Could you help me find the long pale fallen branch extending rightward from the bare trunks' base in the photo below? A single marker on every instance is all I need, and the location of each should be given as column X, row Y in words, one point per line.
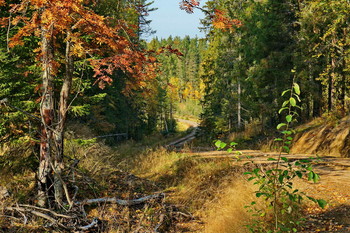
column 121, row 202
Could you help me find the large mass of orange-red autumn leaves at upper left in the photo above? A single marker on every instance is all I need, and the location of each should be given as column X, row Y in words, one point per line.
column 71, row 20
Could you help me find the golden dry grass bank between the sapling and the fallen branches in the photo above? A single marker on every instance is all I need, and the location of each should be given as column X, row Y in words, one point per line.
column 213, row 189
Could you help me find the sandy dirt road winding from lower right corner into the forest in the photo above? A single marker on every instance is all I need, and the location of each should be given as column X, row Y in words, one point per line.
column 334, row 185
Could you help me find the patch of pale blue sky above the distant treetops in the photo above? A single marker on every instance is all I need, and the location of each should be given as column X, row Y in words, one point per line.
column 169, row 19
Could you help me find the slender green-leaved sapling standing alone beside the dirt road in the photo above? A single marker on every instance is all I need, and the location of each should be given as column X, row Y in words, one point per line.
column 276, row 183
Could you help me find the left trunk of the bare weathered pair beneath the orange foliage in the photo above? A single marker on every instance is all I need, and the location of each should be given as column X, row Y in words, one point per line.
column 47, row 115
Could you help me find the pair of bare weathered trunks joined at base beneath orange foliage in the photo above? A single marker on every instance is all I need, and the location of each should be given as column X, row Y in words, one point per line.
column 52, row 138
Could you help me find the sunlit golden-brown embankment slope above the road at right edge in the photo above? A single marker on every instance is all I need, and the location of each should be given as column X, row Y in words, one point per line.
column 325, row 138
